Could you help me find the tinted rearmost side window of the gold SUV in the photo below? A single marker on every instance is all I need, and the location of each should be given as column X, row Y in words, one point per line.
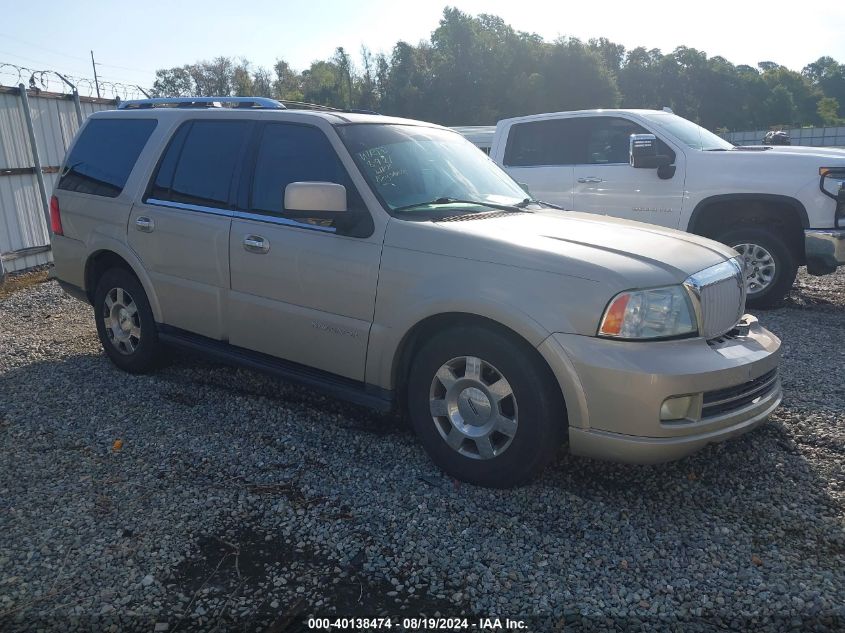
column 104, row 155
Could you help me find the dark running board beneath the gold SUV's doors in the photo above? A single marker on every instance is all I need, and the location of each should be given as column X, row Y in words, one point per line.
column 326, row 382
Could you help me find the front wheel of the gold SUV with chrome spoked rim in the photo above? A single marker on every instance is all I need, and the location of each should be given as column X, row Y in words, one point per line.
column 486, row 410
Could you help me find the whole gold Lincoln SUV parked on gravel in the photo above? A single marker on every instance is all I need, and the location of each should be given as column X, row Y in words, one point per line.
column 390, row 262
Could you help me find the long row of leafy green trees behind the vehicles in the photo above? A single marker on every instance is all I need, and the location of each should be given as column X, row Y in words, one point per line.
column 476, row 69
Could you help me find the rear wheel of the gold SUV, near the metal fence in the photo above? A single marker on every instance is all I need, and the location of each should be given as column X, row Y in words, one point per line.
column 125, row 322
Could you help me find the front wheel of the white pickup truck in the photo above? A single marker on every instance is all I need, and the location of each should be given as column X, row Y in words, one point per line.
column 770, row 265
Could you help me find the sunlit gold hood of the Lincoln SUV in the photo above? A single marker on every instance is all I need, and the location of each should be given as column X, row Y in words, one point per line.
column 621, row 254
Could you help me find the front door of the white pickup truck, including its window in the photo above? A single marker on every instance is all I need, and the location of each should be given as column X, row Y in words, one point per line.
column 606, row 183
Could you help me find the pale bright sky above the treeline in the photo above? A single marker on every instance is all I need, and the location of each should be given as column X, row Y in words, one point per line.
column 131, row 40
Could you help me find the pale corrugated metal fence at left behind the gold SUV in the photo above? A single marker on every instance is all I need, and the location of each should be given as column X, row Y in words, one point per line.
column 22, row 221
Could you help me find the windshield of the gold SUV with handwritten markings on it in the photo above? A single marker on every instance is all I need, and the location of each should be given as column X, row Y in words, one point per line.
column 415, row 167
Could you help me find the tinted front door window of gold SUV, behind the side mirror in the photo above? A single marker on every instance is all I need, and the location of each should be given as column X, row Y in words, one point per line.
column 295, row 153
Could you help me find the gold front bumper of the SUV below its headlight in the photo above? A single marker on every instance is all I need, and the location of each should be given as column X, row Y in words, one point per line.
column 614, row 391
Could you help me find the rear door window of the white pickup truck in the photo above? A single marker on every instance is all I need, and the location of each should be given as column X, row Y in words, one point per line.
column 548, row 142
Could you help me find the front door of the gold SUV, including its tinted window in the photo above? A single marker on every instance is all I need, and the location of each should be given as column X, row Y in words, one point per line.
column 300, row 291
